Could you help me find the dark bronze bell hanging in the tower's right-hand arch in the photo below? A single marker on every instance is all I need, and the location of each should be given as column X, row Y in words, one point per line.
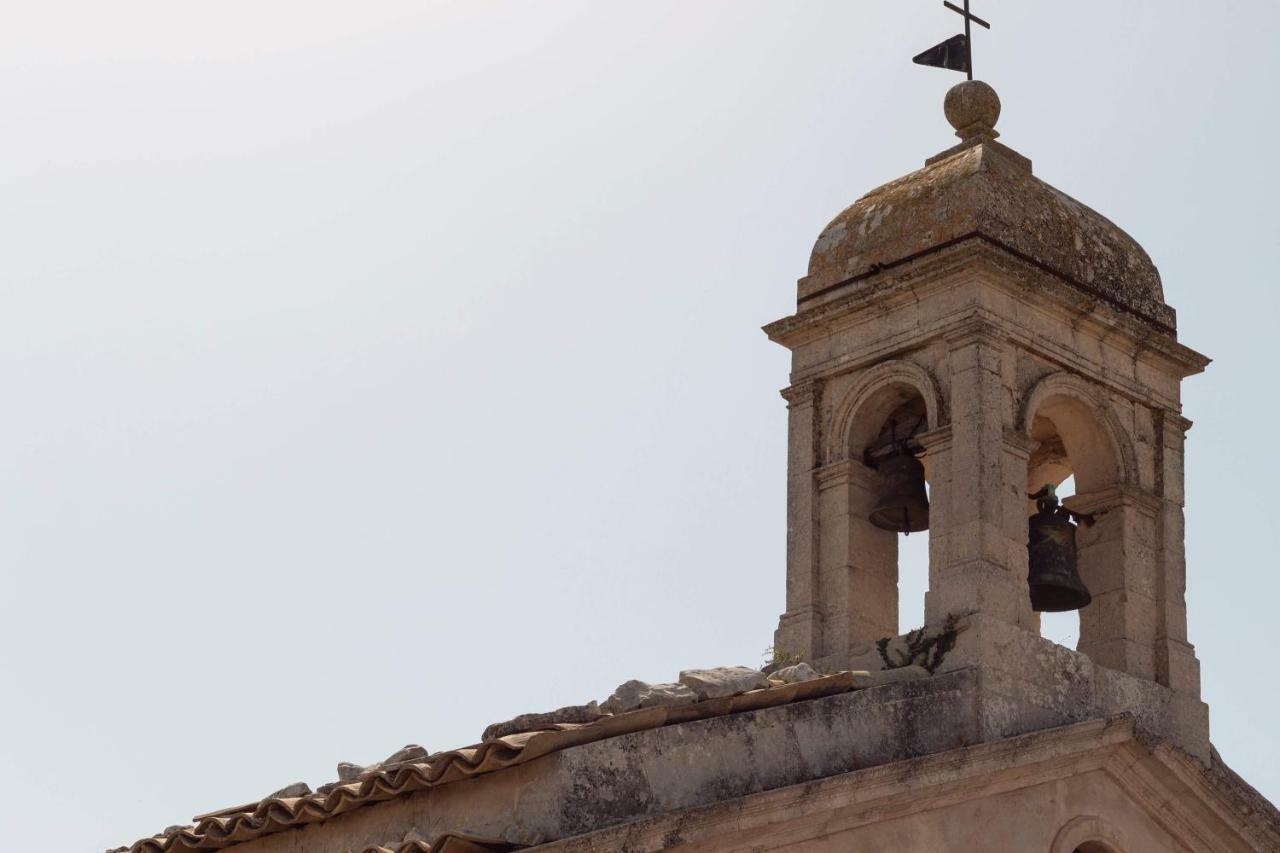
column 1053, row 577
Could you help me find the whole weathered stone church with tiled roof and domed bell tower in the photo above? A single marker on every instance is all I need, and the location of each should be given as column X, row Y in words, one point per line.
column 967, row 340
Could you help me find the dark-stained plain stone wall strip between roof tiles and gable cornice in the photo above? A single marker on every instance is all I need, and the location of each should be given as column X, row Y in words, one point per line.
column 666, row 770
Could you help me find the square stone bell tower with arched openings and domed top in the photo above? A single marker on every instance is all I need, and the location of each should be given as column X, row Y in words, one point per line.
column 973, row 318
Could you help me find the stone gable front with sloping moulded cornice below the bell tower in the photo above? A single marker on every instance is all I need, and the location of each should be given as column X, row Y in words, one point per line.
column 1091, row 787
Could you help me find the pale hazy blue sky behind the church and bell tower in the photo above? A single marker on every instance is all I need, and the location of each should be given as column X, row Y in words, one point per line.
column 376, row 372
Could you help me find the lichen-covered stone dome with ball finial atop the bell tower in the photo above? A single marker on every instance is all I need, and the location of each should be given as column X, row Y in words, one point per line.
column 986, row 191
